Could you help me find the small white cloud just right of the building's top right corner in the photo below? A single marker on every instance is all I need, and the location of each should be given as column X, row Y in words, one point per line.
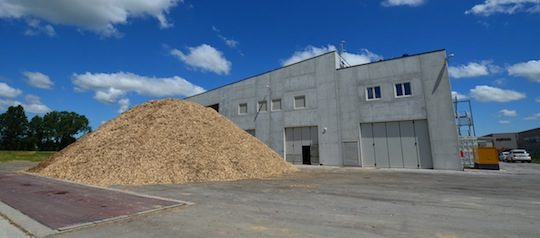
column 473, row 69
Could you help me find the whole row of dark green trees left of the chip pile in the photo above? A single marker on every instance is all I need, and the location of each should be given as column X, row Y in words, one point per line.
column 50, row 132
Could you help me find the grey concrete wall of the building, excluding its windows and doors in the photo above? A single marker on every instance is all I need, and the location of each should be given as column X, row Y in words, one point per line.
column 336, row 102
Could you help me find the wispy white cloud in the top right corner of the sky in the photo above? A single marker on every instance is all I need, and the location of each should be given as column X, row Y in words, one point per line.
column 490, row 7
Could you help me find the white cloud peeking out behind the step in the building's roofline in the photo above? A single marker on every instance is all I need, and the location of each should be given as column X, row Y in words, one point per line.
column 365, row 56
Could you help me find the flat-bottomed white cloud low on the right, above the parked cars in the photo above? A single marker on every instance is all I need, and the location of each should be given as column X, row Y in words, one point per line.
column 486, row 93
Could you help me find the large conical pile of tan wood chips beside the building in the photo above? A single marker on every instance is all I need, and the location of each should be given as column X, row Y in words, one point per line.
column 166, row 141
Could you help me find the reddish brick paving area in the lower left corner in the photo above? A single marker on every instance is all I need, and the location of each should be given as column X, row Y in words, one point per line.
column 58, row 204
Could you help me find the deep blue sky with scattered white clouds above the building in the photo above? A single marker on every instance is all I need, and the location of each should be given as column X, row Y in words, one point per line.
column 101, row 57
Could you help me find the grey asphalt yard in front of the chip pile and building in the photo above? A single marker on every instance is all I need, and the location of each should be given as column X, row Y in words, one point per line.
column 343, row 202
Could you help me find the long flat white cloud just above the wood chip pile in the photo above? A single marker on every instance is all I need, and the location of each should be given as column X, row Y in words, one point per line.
column 108, row 87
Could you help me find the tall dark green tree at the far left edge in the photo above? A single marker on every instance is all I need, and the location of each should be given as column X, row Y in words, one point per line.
column 13, row 128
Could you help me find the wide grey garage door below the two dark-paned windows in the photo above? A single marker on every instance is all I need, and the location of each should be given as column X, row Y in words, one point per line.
column 403, row 144
